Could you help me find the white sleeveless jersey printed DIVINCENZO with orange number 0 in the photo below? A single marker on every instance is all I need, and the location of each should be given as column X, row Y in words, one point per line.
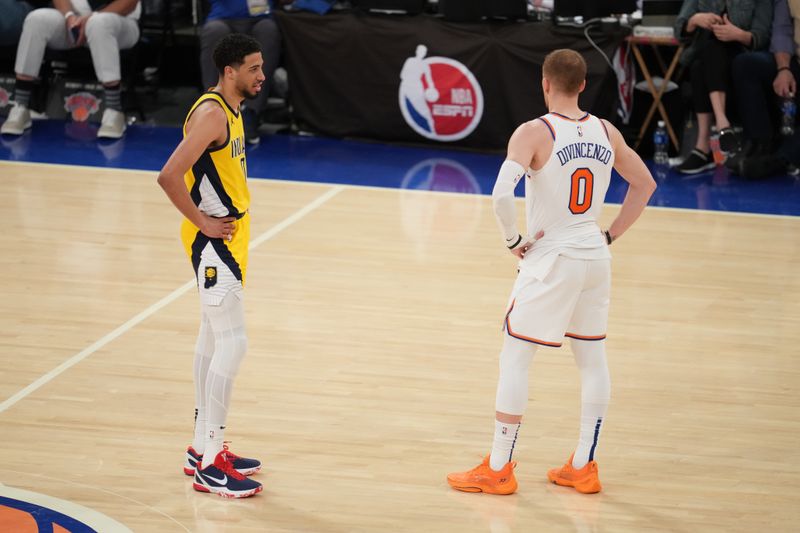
column 565, row 197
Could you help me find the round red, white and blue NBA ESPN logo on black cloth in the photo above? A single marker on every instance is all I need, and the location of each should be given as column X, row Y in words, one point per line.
column 439, row 97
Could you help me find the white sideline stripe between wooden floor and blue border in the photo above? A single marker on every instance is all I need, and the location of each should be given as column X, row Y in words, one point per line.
column 420, row 191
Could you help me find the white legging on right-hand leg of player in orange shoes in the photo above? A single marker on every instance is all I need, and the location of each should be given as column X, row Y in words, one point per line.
column 590, row 356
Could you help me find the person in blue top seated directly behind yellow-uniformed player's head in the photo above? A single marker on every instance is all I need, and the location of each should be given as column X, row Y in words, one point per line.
column 251, row 17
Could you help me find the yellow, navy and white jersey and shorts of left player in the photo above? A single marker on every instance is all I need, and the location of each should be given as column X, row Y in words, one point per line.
column 217, row 183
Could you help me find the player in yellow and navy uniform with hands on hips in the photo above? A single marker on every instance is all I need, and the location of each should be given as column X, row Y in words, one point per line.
column 206, row 179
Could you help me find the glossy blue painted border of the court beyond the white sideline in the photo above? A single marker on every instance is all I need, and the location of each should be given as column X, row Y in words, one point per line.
column 323, row 160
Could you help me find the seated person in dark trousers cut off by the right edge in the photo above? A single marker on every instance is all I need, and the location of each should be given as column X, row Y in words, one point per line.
column 762, row 79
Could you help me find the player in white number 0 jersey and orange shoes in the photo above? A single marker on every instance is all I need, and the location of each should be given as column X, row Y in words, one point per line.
column 566, row 158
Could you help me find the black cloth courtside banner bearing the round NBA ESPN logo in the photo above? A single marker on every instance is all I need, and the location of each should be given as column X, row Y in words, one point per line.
column 419, row 79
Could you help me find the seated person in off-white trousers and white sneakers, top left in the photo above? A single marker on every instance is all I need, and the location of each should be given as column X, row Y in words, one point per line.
column 70, row 24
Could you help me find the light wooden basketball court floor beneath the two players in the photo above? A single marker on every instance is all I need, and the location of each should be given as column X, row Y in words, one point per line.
column 374, row 322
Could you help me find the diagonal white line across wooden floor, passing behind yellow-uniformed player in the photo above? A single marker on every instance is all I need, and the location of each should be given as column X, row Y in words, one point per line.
column 174, row 295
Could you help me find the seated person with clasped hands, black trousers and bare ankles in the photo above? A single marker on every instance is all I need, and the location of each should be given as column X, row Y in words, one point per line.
column 718, row 31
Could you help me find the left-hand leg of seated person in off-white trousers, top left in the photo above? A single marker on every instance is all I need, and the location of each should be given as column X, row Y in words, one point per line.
column 43, row 28
